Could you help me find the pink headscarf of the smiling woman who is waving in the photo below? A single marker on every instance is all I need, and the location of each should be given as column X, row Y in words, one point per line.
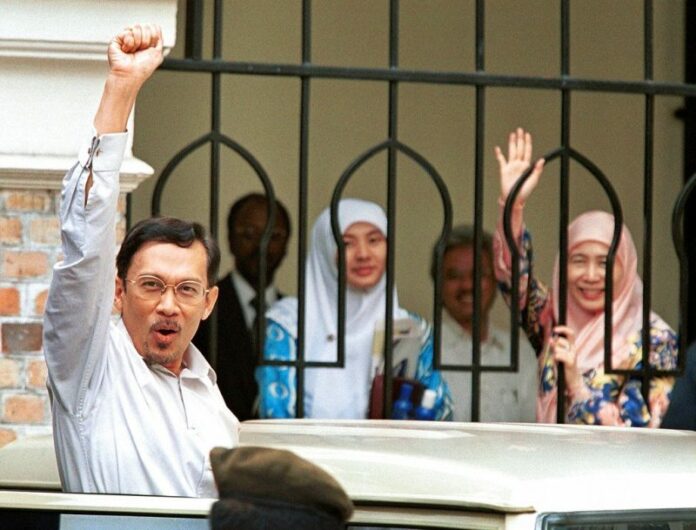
column 627, row 305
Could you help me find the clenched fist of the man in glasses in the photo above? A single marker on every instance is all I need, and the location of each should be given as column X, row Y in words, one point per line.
column 136, row 52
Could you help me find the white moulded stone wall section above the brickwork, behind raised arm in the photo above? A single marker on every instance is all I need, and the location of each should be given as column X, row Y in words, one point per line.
column 53, row 65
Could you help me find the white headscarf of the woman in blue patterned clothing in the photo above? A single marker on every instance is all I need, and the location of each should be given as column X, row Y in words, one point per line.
column 335, row 392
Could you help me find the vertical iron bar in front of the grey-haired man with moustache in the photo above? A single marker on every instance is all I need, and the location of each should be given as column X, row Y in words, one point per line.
column 478, row 216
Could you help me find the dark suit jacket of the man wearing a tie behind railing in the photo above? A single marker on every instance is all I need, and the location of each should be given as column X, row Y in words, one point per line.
column 236, row 358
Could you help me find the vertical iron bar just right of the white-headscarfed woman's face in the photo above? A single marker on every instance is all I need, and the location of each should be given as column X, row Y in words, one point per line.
column 391, row 206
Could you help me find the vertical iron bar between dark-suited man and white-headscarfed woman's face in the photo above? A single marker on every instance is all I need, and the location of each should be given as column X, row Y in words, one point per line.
column 302, row 215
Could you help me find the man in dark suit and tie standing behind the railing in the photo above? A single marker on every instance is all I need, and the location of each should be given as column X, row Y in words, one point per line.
column 236, row 310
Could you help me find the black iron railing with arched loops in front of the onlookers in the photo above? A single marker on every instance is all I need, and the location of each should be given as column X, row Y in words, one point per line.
column 565, row 84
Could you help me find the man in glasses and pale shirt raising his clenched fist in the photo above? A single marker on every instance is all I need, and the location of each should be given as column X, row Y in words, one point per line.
column 136, row 408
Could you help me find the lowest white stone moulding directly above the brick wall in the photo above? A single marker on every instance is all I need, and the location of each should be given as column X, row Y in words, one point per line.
column 46, row 172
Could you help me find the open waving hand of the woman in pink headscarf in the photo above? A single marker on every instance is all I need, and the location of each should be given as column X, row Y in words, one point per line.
column 518, row 161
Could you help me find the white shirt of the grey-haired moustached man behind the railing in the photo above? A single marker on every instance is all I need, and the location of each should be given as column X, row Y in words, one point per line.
column 505, row 396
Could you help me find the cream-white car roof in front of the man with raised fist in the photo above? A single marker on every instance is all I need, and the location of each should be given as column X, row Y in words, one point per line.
column 503, row 468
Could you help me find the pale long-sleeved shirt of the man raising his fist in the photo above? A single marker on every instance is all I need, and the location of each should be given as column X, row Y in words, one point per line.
column 119, row 426
